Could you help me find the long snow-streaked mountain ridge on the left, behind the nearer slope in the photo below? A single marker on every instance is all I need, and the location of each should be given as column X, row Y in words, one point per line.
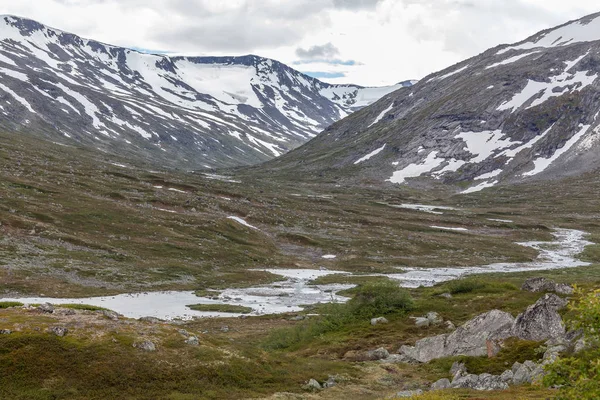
column 179, row 111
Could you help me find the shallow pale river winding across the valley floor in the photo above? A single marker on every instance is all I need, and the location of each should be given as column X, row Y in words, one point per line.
column 293, row 293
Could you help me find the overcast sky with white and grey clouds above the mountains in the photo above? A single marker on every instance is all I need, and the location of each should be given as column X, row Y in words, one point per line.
column 367, row 42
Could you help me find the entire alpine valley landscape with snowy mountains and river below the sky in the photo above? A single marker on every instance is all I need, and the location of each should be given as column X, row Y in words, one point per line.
column 437, row 240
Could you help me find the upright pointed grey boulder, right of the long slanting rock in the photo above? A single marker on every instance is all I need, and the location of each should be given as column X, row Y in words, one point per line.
column 541, row 321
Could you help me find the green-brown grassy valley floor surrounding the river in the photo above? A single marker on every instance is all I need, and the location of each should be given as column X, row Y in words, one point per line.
column 75, row 224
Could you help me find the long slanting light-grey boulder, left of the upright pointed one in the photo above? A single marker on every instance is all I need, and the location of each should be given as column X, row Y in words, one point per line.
column 471, row 339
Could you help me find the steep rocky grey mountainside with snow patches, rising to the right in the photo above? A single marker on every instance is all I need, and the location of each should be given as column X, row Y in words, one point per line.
column 516, row 112
